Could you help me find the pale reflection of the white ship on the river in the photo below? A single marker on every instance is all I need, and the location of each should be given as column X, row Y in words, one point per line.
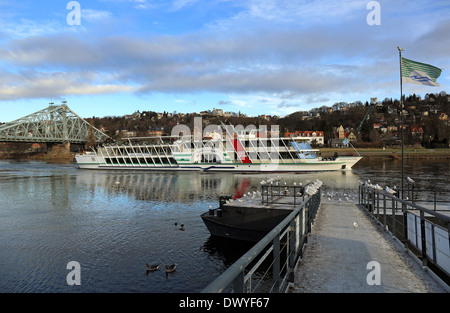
column 179, row 187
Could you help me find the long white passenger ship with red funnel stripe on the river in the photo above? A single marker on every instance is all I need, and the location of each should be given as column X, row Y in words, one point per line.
column 235, row 153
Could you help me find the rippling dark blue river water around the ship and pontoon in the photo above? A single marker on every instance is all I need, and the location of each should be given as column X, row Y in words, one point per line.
column 112, row 223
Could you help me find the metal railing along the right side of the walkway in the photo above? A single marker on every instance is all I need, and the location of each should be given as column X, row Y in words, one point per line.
column 424, row 231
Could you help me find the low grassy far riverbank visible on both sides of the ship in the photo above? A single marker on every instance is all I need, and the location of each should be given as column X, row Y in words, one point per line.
column 61, row 153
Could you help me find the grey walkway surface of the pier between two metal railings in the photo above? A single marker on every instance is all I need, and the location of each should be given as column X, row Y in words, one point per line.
column 337, row 254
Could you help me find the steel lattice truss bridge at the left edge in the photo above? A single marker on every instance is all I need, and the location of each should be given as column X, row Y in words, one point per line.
column 53, row 124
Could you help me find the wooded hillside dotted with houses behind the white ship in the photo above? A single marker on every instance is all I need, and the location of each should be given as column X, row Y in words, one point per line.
column 426, row 121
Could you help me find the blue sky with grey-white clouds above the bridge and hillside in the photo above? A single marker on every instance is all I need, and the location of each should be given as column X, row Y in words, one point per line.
column 254, row 56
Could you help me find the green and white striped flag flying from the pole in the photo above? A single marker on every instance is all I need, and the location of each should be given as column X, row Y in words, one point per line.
column 419, row 73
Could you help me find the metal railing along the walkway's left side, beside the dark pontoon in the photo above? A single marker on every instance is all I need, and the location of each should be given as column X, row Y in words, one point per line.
column 284, row 243
